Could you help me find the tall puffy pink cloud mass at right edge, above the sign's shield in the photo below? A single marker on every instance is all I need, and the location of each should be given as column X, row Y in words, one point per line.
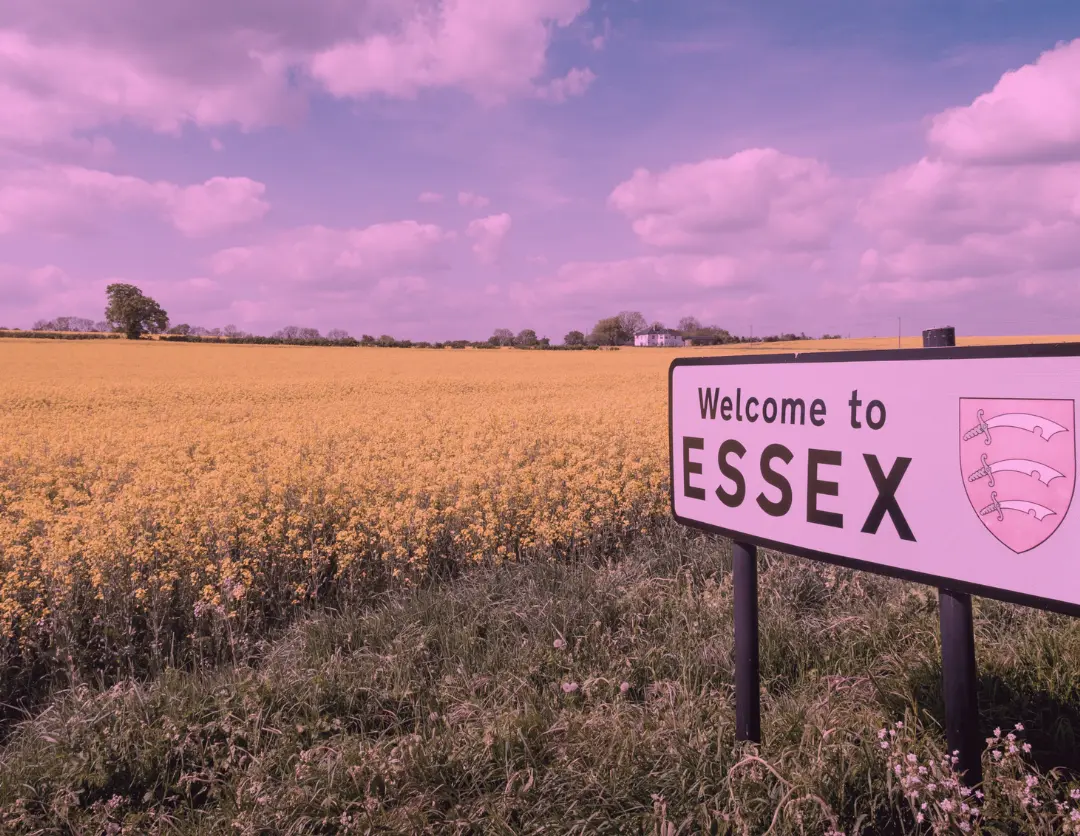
column 997, row 197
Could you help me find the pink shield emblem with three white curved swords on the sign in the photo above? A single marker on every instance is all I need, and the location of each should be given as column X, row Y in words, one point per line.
column 1018, row 459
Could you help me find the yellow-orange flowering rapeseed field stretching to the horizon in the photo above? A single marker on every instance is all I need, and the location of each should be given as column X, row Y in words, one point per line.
column 158, row 500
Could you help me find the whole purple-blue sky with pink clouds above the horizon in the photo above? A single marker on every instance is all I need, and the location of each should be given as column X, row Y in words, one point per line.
column 440, row 169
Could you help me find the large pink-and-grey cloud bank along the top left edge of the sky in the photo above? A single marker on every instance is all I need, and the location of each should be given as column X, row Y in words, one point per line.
column 69, row 66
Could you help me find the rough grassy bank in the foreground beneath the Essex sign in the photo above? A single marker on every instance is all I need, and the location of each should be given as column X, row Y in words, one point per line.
column 565, row 698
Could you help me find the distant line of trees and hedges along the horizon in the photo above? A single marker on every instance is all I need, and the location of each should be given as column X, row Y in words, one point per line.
column 129, row 312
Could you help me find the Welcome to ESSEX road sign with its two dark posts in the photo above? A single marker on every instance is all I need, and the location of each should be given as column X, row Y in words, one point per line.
column 951, row 467
